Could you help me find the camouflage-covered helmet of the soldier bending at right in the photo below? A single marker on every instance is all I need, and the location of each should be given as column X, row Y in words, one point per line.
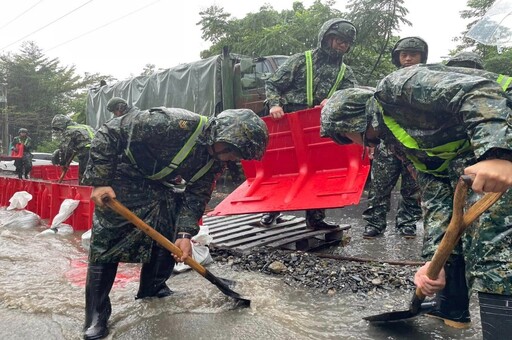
column 346, row 112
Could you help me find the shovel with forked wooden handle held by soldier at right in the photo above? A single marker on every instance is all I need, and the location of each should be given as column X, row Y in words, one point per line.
column 458, row 224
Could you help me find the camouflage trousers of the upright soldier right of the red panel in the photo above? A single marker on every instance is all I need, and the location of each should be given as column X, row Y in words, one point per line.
column 385, row 172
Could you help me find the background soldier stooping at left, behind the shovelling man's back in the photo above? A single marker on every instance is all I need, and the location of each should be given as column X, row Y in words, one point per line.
column 75, row 140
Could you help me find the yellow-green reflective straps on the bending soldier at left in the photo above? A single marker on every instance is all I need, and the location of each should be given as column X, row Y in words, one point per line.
column 179, row 158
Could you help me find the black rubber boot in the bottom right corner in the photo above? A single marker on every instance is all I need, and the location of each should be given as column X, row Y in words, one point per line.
column 495, row 314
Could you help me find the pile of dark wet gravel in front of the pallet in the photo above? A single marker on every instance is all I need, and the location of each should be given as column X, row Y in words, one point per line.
column 329, row 276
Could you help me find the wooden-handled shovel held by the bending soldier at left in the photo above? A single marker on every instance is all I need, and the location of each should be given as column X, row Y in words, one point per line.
column 222, row 284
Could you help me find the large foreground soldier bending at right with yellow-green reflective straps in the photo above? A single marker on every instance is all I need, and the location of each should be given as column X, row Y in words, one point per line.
column 449, row 121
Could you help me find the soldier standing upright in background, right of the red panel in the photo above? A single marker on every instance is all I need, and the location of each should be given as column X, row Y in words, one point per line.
column 387, row 168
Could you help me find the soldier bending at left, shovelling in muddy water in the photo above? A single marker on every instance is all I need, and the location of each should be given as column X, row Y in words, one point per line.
column 141, row 158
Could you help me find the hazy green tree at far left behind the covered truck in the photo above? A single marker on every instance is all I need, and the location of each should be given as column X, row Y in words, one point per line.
column 39, row 88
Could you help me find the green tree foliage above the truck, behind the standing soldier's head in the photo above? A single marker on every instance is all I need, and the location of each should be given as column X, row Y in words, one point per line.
column 269, row 32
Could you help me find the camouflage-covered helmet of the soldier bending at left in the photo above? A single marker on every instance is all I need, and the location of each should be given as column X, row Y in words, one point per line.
column 241, row 128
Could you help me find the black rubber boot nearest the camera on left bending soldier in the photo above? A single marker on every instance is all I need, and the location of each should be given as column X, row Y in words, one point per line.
column 100, row 278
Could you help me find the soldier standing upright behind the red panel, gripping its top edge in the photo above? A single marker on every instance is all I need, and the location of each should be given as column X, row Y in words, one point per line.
column 287, row 89
